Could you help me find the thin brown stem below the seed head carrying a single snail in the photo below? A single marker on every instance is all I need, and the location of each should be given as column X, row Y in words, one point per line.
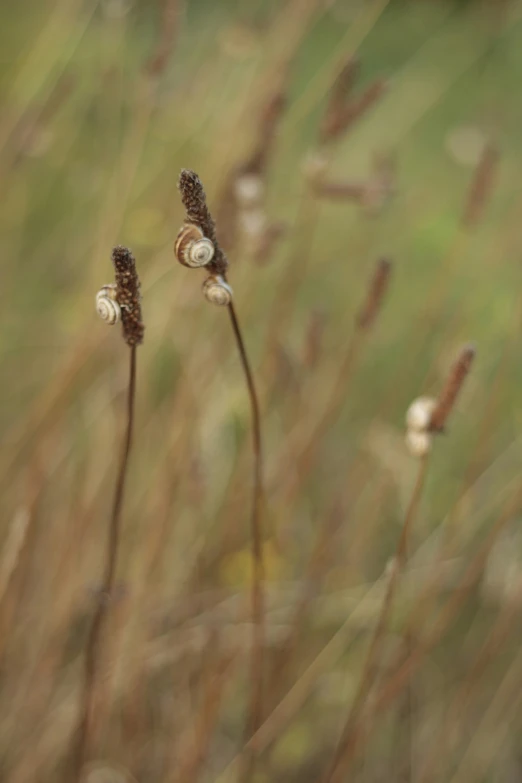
column 94, row 643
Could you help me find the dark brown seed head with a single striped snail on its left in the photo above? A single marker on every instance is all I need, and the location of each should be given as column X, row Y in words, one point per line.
column 128, row 294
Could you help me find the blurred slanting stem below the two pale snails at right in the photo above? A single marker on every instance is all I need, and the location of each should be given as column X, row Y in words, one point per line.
column 370, row 668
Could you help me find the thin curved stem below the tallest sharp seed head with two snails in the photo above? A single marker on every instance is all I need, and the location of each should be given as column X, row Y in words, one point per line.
column 257, row 595
